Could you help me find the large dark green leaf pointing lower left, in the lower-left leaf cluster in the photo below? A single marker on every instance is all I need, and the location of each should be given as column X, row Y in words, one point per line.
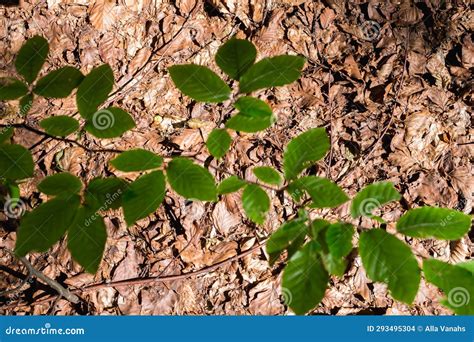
column 46, row 224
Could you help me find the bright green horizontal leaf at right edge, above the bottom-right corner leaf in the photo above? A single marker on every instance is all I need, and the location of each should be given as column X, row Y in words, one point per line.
column 440, row 223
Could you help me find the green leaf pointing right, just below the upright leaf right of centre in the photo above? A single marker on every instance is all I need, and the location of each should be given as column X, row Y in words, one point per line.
column 323, row 192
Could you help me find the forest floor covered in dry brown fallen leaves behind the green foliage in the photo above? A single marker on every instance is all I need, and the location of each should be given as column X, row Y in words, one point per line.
column 390, row 80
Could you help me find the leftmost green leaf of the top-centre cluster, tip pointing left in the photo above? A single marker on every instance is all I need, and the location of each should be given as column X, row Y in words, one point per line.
column 199, row 83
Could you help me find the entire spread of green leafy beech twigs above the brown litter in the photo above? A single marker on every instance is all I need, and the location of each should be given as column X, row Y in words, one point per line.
column 315, row 250
